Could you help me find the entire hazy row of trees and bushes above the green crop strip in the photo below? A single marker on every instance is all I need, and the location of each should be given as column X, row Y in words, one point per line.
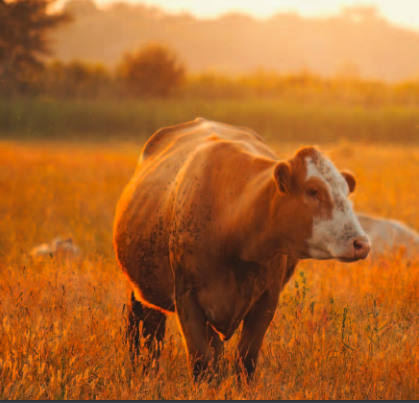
column 155, row 70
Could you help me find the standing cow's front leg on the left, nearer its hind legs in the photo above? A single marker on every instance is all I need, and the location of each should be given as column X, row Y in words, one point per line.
column 202, row 343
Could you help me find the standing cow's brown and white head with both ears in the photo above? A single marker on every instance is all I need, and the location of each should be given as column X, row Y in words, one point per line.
column 320, row 221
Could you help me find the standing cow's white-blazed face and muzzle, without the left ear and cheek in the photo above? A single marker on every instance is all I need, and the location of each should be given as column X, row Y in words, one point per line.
column 336, row 232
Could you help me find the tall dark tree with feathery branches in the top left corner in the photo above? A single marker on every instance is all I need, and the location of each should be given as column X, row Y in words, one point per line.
column 24, row 28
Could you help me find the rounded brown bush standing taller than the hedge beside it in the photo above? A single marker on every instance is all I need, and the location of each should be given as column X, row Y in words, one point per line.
column 152, row 71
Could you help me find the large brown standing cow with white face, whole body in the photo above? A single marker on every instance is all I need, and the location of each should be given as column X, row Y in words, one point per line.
column 211, row 227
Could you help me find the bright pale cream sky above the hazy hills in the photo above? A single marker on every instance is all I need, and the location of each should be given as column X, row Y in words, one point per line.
column 400, row 12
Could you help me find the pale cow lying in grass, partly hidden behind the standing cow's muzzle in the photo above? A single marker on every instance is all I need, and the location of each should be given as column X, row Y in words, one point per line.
column 387, row 234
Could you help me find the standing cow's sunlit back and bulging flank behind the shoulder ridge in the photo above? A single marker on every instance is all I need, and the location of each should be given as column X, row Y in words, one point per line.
column 145, row 211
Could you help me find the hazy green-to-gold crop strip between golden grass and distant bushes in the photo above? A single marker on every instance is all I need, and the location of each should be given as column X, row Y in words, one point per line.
column 275, row 119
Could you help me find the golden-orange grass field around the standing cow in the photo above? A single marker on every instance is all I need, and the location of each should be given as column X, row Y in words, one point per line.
column 341, row 331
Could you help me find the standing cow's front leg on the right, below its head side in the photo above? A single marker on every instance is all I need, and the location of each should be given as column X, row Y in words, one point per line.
column 255, row 325
